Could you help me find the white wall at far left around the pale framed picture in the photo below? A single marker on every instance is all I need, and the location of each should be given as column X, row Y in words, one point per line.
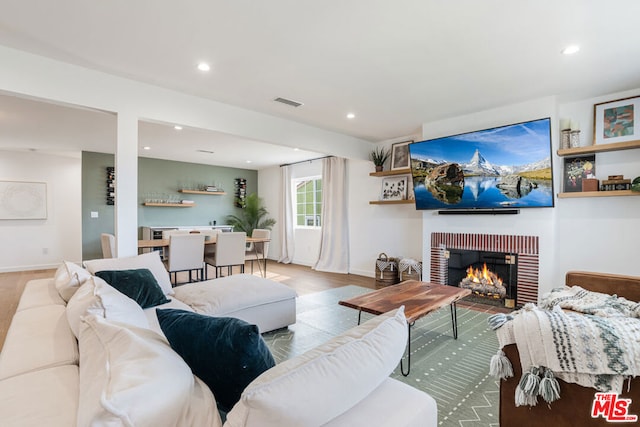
column 25, row 241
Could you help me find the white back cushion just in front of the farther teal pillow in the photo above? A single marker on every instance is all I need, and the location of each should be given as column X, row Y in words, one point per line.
column 97, row 297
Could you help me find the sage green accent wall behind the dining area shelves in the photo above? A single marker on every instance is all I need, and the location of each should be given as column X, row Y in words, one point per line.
column 157, row 179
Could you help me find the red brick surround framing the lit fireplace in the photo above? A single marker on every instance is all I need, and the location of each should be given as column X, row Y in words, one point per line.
column 526, row 247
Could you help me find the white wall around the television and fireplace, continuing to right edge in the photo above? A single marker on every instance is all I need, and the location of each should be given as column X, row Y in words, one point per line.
column 594, row 234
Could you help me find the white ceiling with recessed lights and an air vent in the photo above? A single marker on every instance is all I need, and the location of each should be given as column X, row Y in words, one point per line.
column 394, row 64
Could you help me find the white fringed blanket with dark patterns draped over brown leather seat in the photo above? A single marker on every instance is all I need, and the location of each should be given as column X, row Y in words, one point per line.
column 592, row 351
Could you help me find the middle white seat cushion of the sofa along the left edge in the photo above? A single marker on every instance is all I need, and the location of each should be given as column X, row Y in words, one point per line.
column 38, row 338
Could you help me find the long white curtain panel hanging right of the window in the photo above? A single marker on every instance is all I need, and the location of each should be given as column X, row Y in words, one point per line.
column 334, row 241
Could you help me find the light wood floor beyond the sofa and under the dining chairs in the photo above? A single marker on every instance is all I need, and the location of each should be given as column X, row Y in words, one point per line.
column 302, row 279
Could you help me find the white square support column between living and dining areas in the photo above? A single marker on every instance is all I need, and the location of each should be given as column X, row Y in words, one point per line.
column 126, row 206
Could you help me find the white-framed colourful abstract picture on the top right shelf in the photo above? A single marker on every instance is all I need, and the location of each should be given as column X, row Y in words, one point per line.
column 616, row 121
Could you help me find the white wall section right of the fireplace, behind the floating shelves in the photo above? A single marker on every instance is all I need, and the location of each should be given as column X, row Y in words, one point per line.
column 599, row 234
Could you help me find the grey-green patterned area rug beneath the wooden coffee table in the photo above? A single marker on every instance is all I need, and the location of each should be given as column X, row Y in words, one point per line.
column 454, row 372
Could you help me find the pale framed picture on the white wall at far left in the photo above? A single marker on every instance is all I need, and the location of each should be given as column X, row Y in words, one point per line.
column 23, row 200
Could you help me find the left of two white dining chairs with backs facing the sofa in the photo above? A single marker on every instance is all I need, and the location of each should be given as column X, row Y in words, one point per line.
column 186, row 253
